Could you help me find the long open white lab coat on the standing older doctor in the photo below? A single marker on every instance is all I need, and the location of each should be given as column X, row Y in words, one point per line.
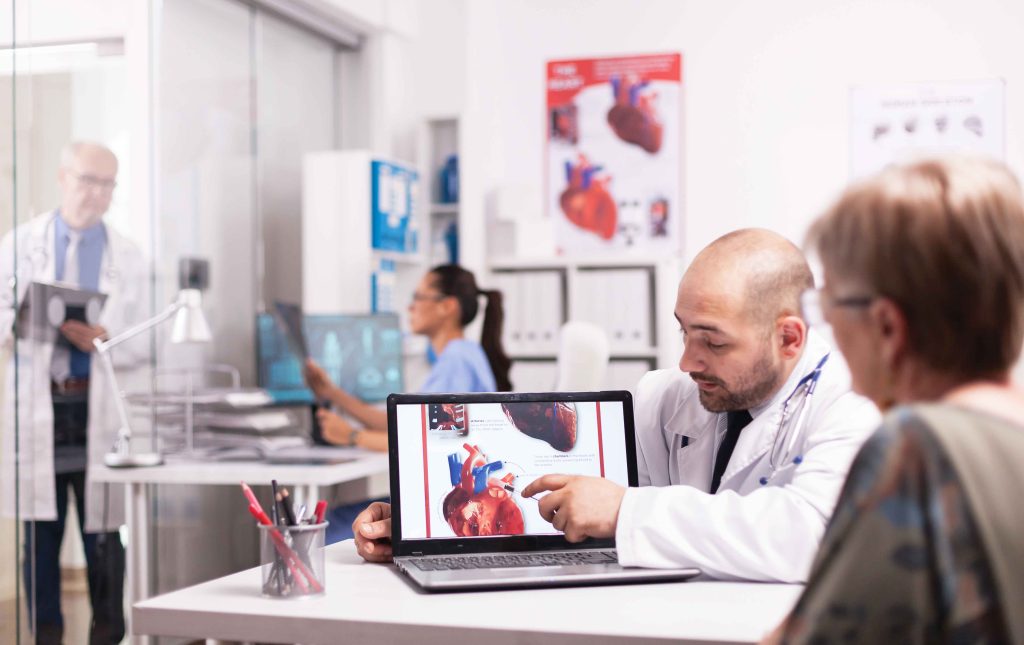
column 123, row 277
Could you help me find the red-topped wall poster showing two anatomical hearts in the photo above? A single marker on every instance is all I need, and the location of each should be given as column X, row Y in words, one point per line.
column 614, row 171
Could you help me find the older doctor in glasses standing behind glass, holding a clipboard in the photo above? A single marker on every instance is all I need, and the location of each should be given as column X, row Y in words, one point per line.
column 65, row 407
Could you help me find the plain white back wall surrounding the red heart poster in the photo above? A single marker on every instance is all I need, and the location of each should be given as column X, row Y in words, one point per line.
column 766, row 88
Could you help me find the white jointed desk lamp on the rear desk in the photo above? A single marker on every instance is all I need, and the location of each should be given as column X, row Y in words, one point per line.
column 190, row 327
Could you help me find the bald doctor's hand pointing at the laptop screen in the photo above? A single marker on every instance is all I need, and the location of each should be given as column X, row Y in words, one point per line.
column 580, row 507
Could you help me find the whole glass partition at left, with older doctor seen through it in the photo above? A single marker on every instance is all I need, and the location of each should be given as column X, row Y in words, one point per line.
column 195, row 115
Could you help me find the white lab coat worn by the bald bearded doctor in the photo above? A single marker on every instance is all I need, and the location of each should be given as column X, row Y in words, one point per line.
column 750, row 530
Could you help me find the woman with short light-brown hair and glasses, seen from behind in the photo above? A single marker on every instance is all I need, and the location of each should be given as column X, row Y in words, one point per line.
column 924, row 290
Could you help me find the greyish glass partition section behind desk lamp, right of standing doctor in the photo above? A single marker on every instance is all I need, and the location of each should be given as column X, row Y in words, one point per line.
column 243, row 95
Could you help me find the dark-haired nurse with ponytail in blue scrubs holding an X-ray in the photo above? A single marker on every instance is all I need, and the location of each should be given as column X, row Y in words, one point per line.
column 445, row 303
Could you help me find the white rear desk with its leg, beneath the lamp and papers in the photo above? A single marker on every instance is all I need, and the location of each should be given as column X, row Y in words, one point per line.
column 307, row 480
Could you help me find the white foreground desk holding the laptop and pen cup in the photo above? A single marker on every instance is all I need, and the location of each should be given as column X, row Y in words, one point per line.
column 374, row 604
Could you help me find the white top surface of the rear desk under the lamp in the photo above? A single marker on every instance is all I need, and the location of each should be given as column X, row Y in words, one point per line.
column 255, row 474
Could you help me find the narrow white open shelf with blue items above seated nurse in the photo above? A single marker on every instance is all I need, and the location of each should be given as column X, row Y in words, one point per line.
column 439, row 140
